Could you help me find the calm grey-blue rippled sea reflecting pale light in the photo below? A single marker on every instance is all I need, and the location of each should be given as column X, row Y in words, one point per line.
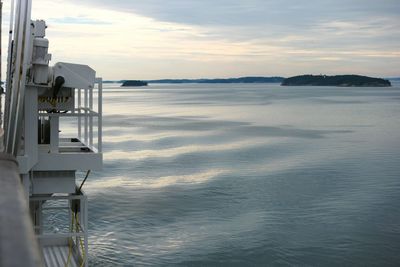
column 247, row 175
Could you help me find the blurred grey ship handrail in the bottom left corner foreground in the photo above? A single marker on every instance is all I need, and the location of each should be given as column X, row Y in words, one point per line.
column 18, row 246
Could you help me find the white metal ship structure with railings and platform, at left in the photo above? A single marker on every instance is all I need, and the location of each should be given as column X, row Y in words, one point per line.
column 39, row 99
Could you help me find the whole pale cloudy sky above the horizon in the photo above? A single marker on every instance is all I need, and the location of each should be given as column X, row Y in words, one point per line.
column 150, row 39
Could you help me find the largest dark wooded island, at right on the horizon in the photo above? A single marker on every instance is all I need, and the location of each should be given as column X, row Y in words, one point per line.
column 338, row 80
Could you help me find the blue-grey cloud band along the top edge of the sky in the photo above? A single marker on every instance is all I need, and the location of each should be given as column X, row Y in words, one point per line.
column 252, row 12
